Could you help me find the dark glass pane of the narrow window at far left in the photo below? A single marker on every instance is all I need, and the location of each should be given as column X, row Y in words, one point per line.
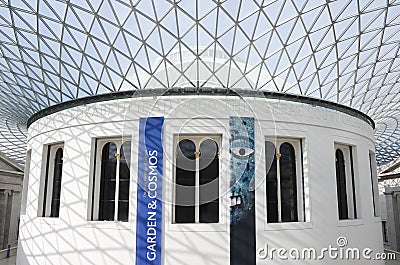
column 55, row 201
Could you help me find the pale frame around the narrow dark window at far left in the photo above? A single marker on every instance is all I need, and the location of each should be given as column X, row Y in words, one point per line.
column 47, row 179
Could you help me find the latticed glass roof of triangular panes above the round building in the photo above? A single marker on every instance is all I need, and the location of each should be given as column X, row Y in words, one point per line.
column 345, row 51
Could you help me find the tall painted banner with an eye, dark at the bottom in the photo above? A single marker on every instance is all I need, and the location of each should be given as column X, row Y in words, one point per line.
column 242, row 208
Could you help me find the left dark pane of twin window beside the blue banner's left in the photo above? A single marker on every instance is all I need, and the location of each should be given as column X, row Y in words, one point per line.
column 107, row 182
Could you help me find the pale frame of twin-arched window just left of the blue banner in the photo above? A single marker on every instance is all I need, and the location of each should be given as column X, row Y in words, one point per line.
column 96, row 178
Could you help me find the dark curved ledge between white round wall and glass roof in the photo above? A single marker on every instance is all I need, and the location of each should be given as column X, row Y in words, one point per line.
column 200, row 91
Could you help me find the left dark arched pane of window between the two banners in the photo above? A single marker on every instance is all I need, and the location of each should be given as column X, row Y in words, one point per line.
column 185, row 182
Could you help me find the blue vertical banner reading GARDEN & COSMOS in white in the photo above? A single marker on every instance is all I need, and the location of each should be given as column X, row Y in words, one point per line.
column 149, row 191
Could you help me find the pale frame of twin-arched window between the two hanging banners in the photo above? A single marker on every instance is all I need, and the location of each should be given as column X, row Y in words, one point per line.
column 197, row 139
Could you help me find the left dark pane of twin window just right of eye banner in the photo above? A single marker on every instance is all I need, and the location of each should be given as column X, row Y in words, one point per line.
column 272, row 186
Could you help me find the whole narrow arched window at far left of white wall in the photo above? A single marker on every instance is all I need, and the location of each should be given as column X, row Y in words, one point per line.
column 50, row 198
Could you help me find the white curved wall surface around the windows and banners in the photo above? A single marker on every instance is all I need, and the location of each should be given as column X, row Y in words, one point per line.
column 72, row 239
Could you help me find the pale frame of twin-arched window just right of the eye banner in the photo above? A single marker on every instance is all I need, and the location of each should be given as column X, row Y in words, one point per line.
column 297, row 144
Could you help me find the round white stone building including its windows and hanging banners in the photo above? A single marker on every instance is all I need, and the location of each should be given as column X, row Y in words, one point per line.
column 86, row 187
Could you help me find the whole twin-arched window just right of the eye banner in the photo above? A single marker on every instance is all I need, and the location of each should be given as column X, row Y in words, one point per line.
column 282, row 179
